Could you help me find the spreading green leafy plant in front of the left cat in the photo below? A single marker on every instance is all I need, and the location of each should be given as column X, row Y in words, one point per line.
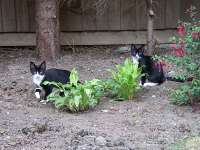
column 75, row 96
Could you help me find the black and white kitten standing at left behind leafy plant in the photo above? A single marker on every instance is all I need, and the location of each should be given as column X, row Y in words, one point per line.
column 40, row 74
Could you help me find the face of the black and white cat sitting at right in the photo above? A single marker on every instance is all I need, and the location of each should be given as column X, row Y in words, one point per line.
column 137, row 53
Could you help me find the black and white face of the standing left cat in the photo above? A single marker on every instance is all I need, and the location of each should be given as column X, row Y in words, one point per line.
column 38, row 72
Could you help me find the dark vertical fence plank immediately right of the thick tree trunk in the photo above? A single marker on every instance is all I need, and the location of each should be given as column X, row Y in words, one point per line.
column 71, row 16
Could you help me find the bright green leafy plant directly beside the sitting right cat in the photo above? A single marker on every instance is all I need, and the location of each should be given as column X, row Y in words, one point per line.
column 124, row 81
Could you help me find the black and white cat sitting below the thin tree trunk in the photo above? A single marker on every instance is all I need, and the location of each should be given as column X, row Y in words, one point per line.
column 152, row 70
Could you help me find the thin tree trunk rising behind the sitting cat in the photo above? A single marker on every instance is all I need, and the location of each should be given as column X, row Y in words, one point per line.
column 150, row 21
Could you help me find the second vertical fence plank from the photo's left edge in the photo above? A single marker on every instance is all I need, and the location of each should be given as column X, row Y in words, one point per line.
column 22, row 15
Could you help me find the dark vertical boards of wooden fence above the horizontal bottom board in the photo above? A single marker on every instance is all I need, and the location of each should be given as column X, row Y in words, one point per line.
column 17, row 16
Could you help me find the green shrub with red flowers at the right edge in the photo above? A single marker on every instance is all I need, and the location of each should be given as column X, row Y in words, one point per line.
column 187, row 44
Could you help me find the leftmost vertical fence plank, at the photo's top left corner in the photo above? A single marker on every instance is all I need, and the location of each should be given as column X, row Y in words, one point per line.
column 8, row 15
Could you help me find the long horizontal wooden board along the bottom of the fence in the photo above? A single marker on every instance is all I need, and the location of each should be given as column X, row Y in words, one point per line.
column 86, row 38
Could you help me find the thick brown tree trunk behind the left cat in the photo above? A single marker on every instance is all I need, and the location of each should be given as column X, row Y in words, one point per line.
column 47, row 29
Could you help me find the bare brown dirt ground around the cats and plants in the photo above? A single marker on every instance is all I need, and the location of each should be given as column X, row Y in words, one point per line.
column 148, row 122
